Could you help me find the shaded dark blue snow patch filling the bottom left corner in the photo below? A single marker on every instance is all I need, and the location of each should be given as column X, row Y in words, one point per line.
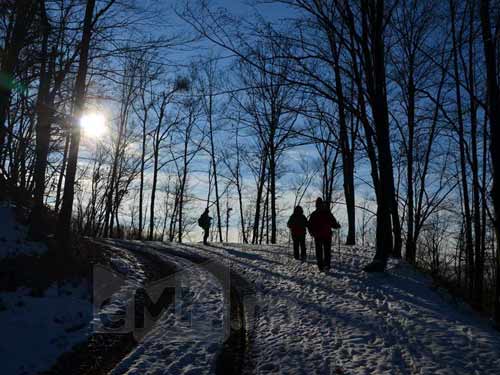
column 36, row 330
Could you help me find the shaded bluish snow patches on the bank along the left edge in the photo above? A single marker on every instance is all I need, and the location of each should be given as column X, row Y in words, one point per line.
column 36, row 329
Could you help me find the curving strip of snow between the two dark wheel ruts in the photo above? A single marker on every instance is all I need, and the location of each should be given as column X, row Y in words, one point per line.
column 188, row 335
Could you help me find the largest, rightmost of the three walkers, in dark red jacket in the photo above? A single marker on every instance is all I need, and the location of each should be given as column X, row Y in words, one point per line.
column 320, row 225
